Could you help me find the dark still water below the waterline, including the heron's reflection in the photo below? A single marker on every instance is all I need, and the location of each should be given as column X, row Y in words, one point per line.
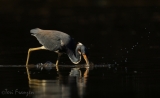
column 103, row 81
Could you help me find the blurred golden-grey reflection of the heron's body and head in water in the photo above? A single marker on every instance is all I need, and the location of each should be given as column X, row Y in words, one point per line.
column 72, row 85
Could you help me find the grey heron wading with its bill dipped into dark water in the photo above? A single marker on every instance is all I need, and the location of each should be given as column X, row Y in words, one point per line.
column 59, row 42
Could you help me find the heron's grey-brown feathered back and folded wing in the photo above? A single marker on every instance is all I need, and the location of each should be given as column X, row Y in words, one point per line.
column 53, row 40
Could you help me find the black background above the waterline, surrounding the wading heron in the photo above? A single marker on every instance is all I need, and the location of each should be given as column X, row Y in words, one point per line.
column 114, row 31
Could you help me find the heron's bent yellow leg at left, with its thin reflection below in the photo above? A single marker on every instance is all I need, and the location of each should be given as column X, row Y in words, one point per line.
column 31, row 49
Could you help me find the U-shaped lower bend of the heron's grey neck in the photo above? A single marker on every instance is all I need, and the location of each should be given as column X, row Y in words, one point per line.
column 74, row 57
